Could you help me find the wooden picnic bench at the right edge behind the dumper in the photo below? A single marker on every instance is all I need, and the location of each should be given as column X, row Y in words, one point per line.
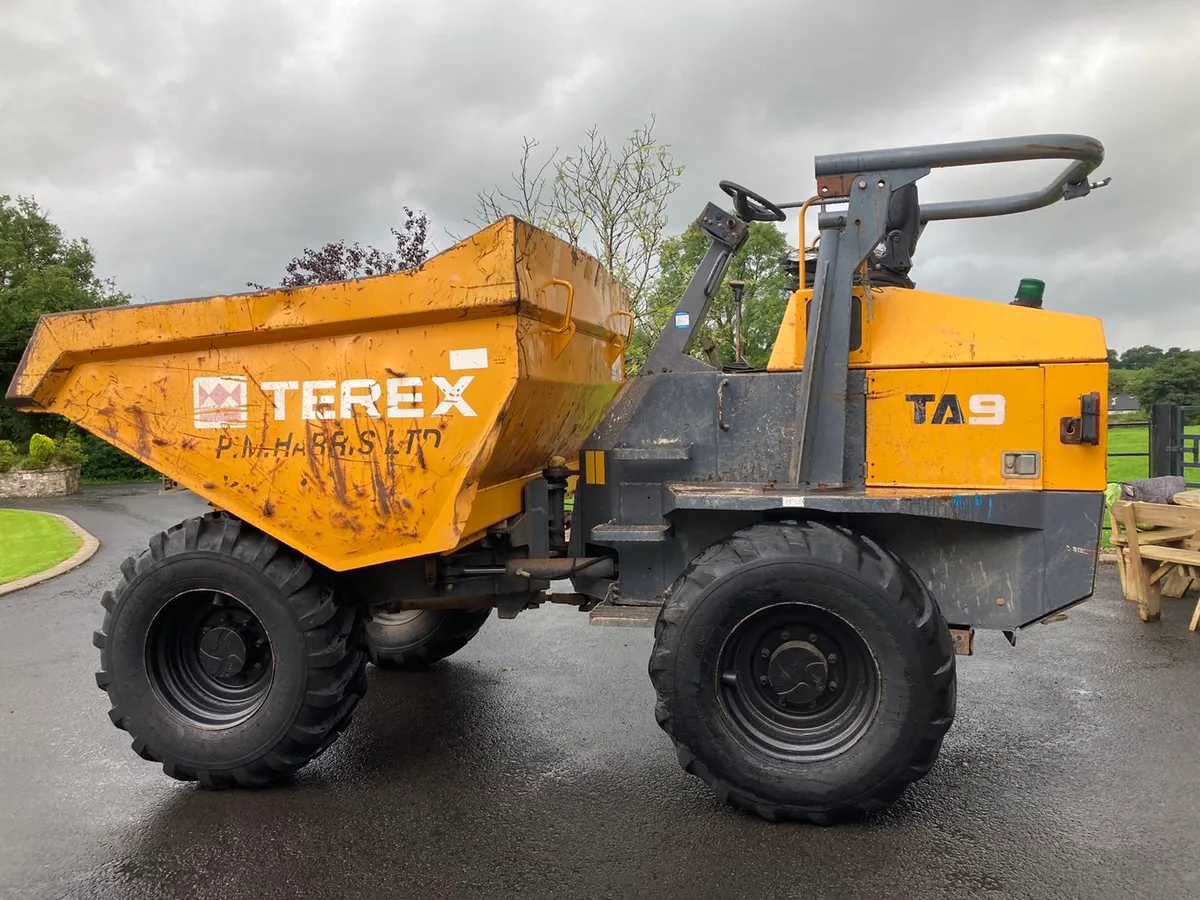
column 1159, row 554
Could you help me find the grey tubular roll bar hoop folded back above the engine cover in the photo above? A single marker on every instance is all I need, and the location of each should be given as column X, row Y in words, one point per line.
column 837, row 171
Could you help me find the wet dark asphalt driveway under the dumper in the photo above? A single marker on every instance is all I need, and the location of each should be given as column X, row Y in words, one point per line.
column 531, row 766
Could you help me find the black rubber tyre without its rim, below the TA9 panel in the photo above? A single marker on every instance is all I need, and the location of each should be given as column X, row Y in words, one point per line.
column 879, row 597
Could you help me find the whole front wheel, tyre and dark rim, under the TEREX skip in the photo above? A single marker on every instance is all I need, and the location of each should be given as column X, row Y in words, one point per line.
column 227, row 657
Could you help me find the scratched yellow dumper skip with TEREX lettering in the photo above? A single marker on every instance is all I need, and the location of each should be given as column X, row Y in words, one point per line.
column 359, row 422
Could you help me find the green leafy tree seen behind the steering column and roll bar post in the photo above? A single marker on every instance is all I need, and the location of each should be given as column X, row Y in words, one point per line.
column 764, row 299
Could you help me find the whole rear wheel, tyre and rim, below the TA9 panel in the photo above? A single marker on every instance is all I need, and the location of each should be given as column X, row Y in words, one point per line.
column 803, row 674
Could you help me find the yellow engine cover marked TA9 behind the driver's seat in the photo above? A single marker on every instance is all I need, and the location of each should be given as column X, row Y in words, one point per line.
column 969, row 394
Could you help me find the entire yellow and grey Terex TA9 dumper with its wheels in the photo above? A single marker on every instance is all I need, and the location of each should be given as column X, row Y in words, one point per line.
column 388, row 460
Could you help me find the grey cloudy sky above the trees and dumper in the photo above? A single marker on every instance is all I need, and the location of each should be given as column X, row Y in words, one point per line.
column 201, row 146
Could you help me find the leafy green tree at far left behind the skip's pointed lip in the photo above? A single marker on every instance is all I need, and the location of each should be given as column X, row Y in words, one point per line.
column 44, row 272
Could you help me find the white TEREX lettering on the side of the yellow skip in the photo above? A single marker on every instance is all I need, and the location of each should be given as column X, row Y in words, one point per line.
column 395, row 399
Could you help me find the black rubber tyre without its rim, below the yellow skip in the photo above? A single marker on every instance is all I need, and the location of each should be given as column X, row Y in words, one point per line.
column 319, row 664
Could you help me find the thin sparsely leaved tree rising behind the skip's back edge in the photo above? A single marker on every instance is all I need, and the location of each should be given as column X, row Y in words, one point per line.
column 608, row 201
